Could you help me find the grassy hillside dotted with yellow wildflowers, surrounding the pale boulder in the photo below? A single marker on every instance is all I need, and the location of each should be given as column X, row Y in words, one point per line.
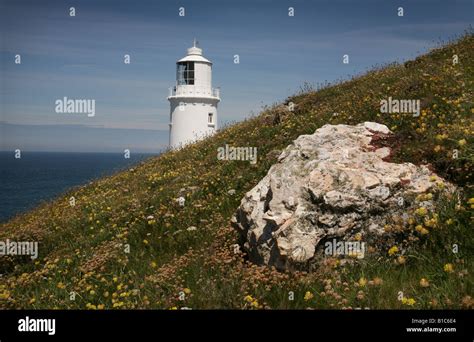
column 126, row 243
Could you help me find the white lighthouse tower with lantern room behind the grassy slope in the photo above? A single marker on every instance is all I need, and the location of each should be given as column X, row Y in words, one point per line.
column 193, row 101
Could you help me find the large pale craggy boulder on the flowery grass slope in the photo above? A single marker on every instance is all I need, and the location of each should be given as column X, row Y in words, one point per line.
column 331, row 184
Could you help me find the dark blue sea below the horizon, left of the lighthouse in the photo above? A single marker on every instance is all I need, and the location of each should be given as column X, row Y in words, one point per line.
column 42, row 176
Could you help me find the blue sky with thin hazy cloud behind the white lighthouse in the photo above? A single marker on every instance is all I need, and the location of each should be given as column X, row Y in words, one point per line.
column 82, row 57
